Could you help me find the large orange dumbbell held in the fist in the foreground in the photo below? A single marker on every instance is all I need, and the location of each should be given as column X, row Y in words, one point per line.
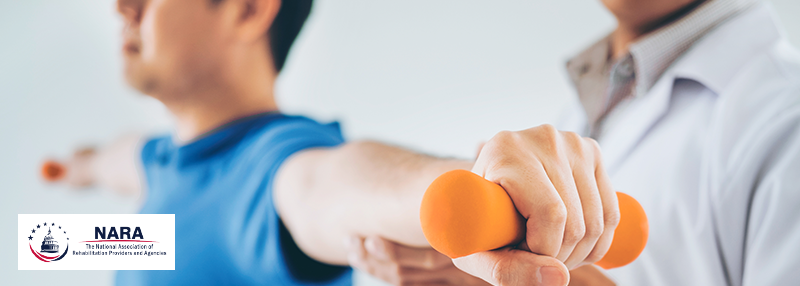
column 463, row 213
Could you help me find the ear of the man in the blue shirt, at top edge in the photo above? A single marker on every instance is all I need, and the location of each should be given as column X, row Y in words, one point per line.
column 254, row 17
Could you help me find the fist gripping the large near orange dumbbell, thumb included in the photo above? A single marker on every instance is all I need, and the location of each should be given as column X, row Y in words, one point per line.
column 557, row 182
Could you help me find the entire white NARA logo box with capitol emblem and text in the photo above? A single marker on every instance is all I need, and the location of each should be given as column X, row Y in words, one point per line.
column 152, row 247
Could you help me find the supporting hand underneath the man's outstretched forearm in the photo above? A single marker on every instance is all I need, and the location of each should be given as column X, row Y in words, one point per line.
column 403, row 265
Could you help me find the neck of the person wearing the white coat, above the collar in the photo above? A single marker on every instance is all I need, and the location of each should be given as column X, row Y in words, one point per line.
column 632, row 26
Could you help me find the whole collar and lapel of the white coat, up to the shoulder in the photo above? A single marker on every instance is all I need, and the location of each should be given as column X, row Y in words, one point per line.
column 712, row 61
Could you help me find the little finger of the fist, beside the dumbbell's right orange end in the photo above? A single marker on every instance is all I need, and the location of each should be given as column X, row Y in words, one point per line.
column 611, row 214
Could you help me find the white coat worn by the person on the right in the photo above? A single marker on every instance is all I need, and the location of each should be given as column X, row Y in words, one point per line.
column 712, row 152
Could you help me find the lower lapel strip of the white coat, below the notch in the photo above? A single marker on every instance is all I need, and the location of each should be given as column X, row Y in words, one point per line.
column 638, row 118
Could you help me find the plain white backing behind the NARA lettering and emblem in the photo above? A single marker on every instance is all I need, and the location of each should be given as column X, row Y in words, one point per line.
column 80, row 227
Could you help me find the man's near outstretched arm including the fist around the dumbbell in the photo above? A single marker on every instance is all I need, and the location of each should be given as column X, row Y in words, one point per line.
column 555, row 180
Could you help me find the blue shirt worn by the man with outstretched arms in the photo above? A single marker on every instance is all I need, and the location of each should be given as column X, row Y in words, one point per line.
column 220, row 189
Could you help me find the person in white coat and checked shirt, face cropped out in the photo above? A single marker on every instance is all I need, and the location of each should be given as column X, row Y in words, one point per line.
column 696, row 105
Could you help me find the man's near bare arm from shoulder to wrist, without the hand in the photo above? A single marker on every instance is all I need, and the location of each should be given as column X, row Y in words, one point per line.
column 324, row 196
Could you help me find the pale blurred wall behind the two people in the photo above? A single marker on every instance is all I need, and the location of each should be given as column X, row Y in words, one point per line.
column 437, row 76
